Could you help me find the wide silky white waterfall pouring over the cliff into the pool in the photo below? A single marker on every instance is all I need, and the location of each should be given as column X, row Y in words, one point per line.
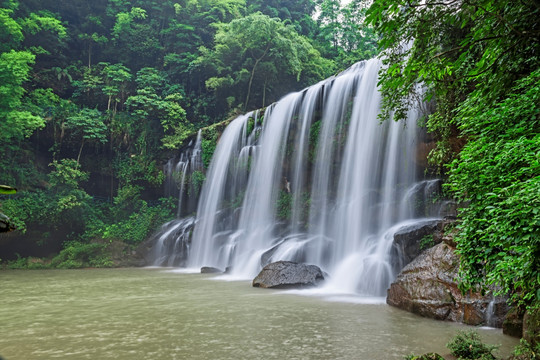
column 317, row 178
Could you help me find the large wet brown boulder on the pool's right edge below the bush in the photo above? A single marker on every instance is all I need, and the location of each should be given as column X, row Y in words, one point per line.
column 427, row 286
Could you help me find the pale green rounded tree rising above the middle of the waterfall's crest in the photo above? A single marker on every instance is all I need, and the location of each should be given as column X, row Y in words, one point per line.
column 256, row 58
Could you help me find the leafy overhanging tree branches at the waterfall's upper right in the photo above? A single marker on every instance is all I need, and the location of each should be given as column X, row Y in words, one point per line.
column 452, row 48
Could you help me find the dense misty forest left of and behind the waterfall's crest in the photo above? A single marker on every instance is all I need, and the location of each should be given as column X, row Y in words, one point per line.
column 97, row 95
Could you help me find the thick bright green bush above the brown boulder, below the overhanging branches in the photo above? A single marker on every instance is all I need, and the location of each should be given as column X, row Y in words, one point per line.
column 498, row 175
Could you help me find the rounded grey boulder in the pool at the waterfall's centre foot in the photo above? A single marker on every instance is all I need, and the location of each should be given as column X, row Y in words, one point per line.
column 287, row 274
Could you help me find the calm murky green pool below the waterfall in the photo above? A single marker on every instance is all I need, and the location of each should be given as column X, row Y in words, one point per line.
column 158, row 314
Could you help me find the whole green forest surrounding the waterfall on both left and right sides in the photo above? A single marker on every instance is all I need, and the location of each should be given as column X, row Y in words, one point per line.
column 97, row 95
